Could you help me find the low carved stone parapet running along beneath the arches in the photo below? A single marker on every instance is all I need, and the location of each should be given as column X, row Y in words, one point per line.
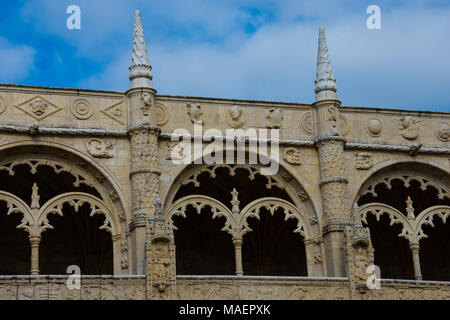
column 218, row 288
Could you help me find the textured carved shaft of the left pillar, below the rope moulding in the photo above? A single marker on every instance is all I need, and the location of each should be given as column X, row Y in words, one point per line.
column 144, row 173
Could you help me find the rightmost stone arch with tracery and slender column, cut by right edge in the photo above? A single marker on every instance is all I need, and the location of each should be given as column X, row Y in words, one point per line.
column 425, row 177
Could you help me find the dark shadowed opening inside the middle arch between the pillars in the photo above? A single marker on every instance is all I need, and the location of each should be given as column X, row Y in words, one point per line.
column 206, row 245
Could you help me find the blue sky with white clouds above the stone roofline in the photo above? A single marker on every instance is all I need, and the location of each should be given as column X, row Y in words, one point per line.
column 246, row 49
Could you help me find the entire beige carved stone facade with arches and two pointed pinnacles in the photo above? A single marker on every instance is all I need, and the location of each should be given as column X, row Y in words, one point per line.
column 119, row 144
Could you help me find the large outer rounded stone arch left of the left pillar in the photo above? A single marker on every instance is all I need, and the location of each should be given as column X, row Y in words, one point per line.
column 85, row 170
